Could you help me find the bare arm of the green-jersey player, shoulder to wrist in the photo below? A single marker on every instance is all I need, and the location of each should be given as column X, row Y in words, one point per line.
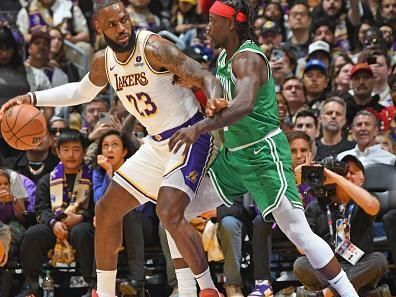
column 251, row 72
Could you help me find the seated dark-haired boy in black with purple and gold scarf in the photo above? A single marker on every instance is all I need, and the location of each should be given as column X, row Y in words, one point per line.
column 70, row 183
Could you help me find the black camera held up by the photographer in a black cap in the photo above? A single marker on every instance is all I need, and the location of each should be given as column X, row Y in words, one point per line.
column 314, row 176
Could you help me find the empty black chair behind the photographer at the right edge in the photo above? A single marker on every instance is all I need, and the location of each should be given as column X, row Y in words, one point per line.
column 380, row 180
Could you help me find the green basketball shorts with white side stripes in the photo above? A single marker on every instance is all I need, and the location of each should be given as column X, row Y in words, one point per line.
column 263, row 169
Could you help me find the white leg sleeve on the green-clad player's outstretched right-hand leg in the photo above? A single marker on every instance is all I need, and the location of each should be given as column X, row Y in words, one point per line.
column 293, row 223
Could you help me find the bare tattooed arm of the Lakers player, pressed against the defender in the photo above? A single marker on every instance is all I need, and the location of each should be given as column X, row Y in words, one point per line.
column 163, row 54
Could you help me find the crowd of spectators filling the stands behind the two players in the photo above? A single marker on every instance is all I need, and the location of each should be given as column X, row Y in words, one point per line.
column 334, row 67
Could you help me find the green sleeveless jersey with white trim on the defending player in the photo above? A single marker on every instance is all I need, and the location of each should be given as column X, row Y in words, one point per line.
column 264, row 117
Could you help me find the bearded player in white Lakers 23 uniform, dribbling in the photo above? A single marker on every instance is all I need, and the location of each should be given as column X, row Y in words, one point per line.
column 140, row 67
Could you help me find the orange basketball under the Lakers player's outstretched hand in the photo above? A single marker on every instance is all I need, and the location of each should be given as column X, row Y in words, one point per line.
column 23, row 127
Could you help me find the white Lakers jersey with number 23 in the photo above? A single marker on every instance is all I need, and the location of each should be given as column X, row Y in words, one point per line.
column 148, row 94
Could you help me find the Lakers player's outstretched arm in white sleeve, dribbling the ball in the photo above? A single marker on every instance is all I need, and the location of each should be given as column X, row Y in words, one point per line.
column 67, row 94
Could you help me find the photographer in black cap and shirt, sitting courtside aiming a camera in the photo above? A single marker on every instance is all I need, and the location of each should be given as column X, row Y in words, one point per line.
column 345, row 222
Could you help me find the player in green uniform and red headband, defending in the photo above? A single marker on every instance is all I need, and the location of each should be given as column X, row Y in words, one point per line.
column 256, row 155
